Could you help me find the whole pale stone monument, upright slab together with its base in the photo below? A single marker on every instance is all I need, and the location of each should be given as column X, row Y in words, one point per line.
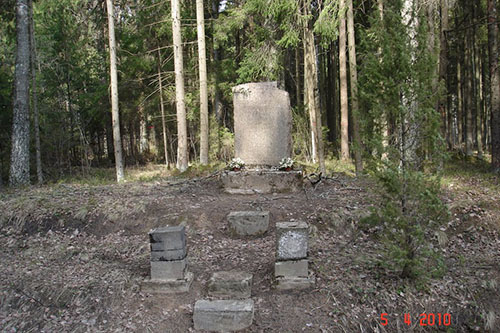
column 262, row 138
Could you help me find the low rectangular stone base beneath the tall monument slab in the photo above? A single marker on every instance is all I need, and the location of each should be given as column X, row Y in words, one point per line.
column 261, row 181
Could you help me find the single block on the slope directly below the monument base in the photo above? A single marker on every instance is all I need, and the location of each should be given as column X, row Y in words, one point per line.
column 249, row 223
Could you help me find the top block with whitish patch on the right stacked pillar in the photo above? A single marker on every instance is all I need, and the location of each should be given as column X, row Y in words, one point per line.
column 292, row 239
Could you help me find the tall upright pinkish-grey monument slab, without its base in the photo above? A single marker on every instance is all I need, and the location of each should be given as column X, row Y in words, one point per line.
column 262, row 123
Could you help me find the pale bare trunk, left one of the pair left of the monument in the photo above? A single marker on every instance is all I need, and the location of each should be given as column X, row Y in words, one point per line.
column 182, row 144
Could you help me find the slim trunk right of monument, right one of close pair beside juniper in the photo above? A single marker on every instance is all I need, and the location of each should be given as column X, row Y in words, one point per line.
column 354, row 89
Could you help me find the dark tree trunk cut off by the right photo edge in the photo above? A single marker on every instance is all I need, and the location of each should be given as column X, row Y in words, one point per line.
column 495, row 84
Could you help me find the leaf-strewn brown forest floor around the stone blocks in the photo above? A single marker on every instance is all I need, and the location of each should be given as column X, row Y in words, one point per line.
column 72, row 257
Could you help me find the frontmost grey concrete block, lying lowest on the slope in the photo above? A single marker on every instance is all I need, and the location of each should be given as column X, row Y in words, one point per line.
column 223, row 315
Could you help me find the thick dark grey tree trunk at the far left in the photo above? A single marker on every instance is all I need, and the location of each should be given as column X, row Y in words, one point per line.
column 20, row 159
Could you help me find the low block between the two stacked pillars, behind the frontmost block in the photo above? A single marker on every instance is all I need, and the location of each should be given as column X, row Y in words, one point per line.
column 230, row 285
